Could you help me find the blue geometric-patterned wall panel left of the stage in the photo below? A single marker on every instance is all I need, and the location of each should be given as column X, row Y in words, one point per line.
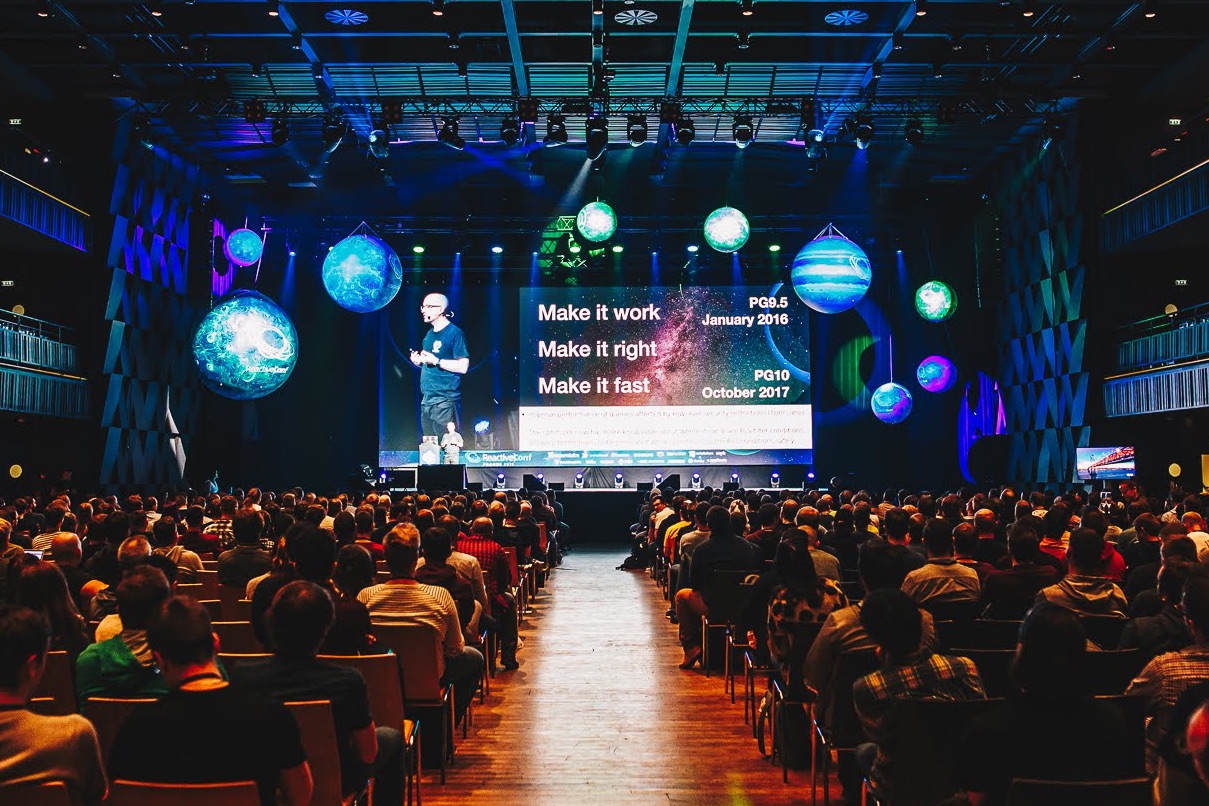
column 152, row 388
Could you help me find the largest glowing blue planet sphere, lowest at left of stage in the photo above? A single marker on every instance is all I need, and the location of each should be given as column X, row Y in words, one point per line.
column 246, row 347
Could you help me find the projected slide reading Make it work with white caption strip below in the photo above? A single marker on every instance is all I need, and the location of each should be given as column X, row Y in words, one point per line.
column 664, row 375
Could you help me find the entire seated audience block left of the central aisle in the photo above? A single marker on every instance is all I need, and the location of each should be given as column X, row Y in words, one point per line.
column 115, row 589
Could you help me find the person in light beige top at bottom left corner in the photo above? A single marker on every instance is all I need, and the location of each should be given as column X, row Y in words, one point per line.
column 37, row 750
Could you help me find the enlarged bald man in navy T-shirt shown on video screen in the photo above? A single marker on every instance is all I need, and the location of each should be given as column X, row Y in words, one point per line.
column 443, row 362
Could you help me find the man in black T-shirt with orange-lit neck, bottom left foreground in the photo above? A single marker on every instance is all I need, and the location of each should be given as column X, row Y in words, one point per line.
column 205, row 729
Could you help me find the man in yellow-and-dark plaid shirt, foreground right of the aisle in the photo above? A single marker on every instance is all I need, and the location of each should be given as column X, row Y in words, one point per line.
column 911, row 671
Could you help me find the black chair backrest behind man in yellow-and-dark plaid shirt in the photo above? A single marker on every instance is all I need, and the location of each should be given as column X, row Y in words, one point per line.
column 929, row 734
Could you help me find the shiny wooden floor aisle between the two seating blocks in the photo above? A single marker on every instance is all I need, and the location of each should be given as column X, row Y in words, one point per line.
column 599, row 712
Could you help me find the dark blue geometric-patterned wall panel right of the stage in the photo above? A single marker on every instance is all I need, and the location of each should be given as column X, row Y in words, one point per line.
column 1043, row 329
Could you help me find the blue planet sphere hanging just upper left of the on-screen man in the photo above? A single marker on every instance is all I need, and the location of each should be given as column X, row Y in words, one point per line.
column 362, row 274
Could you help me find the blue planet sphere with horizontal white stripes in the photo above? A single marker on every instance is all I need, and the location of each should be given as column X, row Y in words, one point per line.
column 831, row 274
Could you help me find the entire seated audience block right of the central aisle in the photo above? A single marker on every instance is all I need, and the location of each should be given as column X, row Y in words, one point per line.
column 1106, row 605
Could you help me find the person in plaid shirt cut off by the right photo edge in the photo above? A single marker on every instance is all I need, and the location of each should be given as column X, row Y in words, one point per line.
column 1171, row 675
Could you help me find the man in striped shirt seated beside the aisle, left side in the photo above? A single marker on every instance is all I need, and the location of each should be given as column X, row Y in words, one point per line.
column 403, row 601
